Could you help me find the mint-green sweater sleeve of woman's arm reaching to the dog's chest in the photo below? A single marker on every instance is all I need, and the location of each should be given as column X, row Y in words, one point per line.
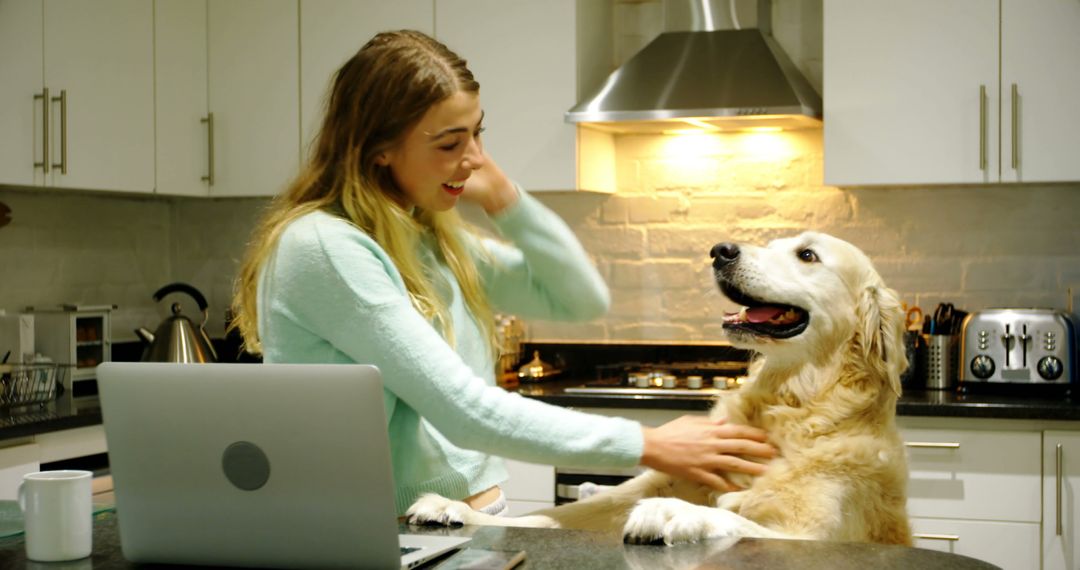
column 333, row 284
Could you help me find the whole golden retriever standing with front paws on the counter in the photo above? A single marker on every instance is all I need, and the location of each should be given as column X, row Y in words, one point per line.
column 830, row 338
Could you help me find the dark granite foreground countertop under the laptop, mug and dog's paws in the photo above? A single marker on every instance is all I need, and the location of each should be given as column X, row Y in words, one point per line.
column 559, row 550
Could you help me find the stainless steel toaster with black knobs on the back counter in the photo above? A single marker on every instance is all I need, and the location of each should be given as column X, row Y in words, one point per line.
column 1019, row 346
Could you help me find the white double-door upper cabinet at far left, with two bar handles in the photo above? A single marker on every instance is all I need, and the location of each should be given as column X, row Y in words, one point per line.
column 97, row 60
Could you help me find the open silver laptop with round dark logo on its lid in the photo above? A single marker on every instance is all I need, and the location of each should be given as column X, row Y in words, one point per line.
column 255, row 465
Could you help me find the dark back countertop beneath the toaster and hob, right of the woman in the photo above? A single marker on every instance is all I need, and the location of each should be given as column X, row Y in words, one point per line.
column 926, row 403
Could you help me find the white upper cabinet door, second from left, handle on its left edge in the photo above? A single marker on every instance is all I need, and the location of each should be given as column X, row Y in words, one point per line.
column 99, row 66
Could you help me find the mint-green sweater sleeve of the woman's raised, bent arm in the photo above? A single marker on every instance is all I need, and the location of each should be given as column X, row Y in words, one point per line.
column 545, row 274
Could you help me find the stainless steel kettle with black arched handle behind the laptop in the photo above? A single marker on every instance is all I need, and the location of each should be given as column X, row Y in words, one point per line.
column 178, row 340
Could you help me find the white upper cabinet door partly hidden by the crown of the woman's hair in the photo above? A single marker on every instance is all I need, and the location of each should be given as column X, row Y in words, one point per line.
column 333, row 31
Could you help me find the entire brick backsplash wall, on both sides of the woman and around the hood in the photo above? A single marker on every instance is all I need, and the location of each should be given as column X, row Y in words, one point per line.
column 978, row 247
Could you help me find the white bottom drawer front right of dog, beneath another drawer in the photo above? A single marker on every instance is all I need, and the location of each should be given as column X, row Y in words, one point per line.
column 1010, row 546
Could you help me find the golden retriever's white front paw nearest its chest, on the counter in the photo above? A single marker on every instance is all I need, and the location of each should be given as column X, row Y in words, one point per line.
column 674, row 522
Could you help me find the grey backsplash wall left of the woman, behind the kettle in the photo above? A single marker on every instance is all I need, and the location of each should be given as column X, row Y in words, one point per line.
column 98, row 249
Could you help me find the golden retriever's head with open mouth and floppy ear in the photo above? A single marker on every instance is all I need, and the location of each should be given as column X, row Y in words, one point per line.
column 807, row 297
